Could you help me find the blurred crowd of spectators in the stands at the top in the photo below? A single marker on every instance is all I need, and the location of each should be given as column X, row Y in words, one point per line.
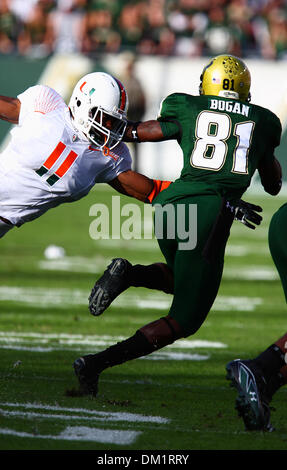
column 184, row 28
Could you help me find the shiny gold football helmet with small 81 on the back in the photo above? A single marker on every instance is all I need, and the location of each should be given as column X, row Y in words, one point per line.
column 227, row 76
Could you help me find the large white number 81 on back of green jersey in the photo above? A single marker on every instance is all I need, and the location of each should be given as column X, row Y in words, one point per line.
column 210, row 150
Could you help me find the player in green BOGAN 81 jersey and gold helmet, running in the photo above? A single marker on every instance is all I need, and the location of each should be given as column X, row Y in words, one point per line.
column 224, row 139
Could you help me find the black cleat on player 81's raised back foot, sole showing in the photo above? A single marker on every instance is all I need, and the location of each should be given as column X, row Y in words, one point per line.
column 109, row 286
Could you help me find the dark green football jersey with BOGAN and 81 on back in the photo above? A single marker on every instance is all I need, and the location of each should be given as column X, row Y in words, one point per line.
column 223, row 141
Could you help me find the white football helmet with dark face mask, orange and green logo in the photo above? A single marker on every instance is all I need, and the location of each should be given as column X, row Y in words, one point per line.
column 99, row 105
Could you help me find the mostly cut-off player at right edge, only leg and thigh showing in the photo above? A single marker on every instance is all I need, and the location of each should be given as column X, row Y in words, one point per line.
column 258, row 379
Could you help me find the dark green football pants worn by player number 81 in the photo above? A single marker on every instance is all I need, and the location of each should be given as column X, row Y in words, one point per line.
column 197, row 271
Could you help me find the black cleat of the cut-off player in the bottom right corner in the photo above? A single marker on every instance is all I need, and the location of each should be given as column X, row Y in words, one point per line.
column 251, row 404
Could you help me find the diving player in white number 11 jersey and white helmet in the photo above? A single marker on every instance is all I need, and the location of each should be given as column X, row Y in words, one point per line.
column 58, row 152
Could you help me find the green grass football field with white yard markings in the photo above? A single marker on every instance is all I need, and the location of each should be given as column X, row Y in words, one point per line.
column 177, row 398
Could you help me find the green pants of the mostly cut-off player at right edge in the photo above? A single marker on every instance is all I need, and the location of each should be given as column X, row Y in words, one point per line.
column 277, row 243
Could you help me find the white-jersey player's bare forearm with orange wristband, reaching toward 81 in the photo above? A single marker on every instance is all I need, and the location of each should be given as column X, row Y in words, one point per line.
column 131, row 183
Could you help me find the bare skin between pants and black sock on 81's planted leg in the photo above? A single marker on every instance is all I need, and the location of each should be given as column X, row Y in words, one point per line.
column 162, row 332
